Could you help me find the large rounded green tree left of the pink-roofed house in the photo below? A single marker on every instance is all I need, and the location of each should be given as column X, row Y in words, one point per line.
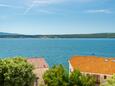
column 16, row 72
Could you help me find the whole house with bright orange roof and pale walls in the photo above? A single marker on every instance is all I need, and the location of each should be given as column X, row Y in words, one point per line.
column 99, row 67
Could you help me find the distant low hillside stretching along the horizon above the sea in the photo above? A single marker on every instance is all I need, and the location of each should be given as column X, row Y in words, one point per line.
column 97, row 35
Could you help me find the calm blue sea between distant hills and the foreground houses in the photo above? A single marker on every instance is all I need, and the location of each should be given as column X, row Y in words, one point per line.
column 56, row 51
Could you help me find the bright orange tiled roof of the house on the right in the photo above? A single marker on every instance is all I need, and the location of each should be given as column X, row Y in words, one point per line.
column 93, row 64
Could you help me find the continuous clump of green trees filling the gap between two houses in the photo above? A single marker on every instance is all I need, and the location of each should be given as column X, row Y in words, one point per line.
column 58, row 76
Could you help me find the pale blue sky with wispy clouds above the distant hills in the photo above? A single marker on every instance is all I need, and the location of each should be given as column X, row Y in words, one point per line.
column 57, row 16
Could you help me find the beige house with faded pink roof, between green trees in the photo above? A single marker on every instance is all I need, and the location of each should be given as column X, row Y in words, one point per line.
column 40, row 67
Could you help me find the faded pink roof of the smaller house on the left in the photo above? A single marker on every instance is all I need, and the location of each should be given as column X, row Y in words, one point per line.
column 38, row 62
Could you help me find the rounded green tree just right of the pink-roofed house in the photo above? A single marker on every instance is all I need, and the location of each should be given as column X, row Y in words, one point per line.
column 56, row 76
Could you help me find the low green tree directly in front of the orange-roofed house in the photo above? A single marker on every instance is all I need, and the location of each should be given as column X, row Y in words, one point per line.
column 78, row 79
